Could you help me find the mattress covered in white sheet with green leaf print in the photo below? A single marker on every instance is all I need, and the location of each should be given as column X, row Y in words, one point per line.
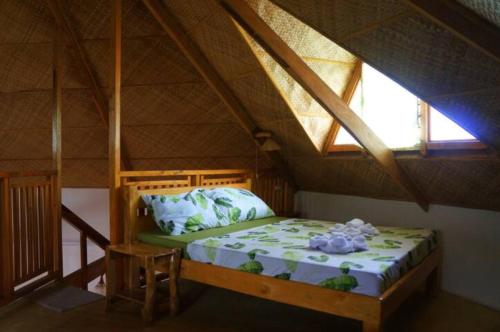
column 280, row 249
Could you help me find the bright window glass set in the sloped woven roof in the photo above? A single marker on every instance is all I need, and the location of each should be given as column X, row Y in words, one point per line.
column 398, row 117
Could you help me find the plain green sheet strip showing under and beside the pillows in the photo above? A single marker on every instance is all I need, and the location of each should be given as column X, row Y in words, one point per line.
column 158, row 238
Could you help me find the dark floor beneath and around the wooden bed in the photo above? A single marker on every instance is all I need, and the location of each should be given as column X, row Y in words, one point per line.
column 210, row 309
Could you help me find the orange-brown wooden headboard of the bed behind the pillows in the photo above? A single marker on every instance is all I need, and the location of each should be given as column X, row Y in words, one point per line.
column 137, row 183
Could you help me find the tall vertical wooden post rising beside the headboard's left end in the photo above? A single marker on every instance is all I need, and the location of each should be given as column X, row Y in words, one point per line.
column 114, row 125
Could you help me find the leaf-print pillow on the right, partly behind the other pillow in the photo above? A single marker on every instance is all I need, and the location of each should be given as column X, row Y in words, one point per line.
column 239, row 204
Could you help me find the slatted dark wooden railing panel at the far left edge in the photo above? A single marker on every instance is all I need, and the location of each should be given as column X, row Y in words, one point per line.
column 30, row 233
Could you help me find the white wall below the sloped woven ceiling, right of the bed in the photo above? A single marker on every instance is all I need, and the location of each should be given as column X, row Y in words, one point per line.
column 471, row 238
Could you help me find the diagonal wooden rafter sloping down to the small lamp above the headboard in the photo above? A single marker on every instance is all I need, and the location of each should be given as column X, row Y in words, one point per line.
column 193, row 53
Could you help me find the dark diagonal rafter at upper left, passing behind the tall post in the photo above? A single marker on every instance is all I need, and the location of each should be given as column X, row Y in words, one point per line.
column 98, row 96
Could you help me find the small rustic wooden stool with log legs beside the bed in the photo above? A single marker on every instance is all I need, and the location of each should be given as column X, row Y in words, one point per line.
column 150, row 258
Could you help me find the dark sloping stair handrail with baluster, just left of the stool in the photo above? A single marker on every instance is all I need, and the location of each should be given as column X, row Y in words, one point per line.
column 87, row 272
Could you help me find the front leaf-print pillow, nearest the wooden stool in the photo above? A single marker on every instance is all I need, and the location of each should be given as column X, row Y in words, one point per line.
column 185, row 213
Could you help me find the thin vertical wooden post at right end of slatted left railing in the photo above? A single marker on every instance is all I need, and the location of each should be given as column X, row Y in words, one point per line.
column 57, row 154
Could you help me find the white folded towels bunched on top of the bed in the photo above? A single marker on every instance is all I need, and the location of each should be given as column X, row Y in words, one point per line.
column 344, row 238
